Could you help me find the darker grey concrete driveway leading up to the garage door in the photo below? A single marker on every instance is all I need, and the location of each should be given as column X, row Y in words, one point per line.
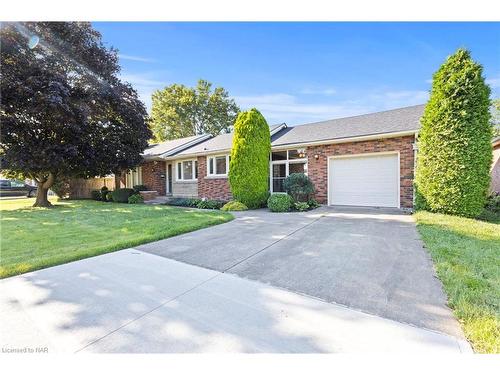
column 371, row 260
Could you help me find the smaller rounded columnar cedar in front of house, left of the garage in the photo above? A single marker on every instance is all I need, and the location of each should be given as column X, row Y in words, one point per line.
column 249, row 166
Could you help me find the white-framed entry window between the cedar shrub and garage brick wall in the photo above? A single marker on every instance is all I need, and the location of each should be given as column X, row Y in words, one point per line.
column 283, row 163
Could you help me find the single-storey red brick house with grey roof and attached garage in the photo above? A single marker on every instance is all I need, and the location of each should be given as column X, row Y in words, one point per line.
column 365, row 160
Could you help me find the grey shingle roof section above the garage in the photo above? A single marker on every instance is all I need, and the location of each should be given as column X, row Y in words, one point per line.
column 396, row 120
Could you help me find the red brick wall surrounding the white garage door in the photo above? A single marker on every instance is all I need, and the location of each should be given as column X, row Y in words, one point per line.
column 317, row 169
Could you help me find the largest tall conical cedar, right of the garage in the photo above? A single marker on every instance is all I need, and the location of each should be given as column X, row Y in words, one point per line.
column 454, row 148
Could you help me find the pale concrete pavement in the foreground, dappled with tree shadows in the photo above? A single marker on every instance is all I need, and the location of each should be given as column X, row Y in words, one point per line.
column 131, row 301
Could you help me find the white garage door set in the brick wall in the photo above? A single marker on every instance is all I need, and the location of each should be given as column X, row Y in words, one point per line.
column 364, row 181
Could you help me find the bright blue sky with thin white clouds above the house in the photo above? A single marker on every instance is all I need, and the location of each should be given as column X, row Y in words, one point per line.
column 301, row 72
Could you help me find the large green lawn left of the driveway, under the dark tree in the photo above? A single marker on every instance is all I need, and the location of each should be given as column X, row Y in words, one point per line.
column 34, row 238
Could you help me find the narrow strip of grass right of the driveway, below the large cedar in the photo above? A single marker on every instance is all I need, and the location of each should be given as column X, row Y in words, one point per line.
column 466, row 254
